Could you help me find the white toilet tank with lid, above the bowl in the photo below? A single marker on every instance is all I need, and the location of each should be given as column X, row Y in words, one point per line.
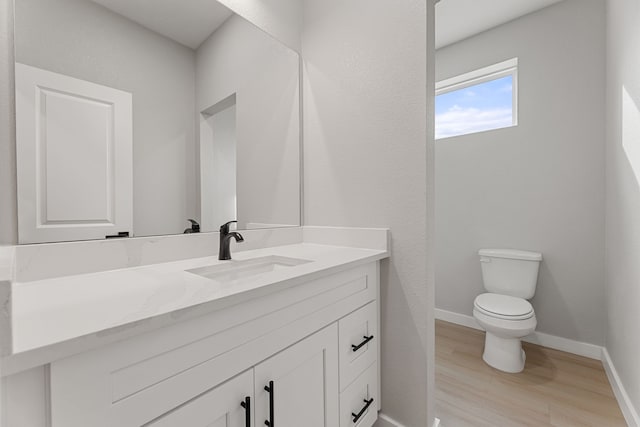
column 510, row 272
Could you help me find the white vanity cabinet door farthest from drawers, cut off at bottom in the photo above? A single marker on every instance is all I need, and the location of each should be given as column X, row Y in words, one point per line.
column 219, row 407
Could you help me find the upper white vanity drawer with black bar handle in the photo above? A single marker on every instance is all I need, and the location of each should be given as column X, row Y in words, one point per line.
column 358, row 341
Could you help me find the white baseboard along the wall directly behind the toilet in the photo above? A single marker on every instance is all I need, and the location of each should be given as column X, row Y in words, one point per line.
column 591, row 351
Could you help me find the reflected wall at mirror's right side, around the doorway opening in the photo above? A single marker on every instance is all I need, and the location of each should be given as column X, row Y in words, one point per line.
column 240, row 59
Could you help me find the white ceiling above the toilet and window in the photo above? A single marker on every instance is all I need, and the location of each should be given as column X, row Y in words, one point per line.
column 459, row 19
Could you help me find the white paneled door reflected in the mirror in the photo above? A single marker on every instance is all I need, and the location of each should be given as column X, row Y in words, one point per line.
column 74, row 158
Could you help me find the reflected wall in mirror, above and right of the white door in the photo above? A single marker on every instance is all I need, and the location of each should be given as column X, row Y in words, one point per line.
column 81, row 39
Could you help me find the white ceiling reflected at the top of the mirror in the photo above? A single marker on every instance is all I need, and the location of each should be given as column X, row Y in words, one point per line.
column 189, row 22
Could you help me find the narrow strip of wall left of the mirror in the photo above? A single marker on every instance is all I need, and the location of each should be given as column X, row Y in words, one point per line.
column 8, row 208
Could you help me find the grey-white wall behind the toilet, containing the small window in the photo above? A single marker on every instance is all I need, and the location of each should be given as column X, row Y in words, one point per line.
column 540, row 185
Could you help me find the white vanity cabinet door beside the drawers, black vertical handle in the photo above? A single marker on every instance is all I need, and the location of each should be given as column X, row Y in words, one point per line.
column 303, row 382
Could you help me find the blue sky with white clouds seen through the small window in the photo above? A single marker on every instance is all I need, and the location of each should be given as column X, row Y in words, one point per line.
column 477, row 108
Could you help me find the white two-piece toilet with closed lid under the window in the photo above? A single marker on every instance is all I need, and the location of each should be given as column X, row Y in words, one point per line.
column 510, row 277
